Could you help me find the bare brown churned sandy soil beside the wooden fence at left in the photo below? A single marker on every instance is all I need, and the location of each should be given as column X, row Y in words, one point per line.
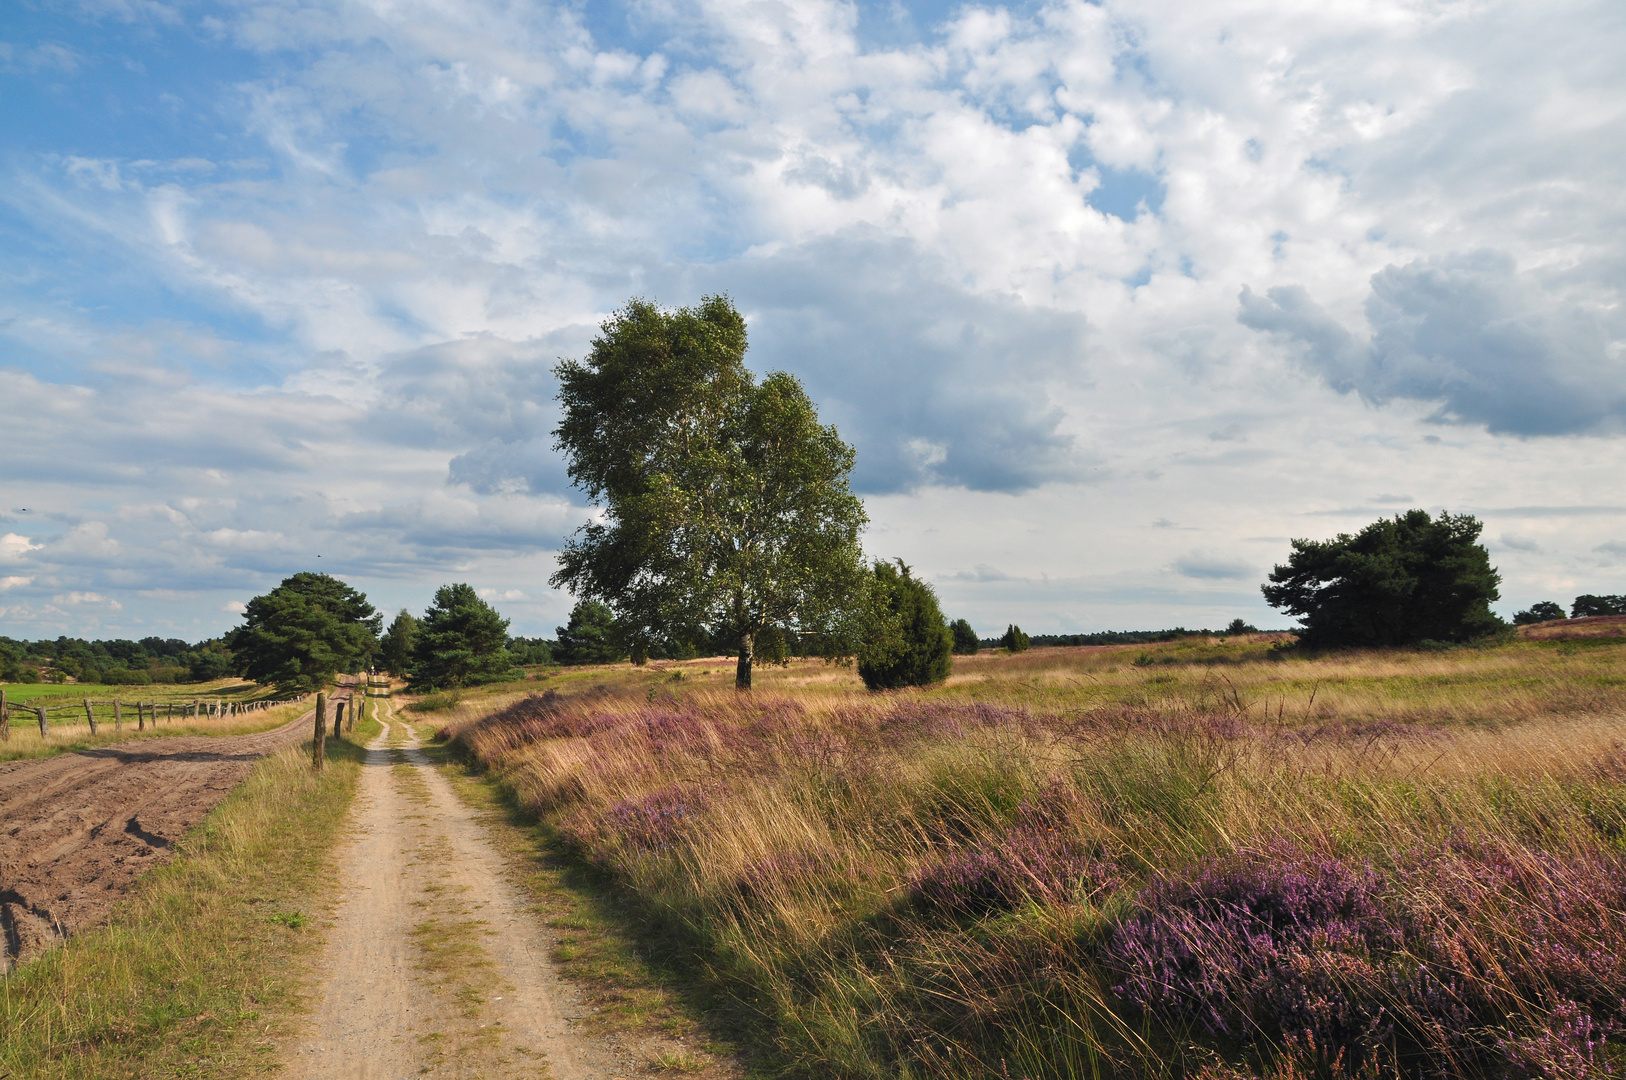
column 76, row 830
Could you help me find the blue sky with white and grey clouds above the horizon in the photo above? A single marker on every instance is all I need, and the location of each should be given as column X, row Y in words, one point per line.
column 1113, row 300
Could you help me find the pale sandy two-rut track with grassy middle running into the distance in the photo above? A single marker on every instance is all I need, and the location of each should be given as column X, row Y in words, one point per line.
column 435, row 967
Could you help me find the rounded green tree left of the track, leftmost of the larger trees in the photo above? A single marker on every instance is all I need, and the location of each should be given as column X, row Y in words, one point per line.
column 305, row 632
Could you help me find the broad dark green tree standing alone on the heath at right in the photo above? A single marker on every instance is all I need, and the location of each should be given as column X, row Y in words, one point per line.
column 1399, row 581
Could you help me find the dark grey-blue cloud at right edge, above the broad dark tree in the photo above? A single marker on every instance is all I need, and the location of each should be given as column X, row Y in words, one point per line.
column 1471, row 334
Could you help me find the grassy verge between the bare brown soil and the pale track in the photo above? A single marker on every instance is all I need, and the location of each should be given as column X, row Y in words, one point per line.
column 202, row 970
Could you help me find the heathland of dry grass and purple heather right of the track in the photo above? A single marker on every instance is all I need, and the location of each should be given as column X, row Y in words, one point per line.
column 1067, row 863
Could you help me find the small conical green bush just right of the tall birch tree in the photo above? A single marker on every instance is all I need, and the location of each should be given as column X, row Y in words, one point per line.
column 908, row 642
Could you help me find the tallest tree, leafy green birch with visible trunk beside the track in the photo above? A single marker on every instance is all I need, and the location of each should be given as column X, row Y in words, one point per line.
column 728, row 505
